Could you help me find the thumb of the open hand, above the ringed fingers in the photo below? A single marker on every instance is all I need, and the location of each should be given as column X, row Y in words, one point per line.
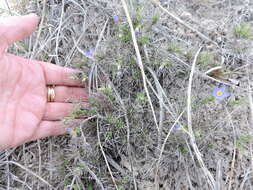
column 16, row 28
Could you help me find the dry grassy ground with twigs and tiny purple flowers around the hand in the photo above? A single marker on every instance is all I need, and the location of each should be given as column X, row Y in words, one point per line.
column 172, row 111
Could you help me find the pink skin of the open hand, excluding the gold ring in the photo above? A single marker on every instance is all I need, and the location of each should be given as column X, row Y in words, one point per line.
column 25, row 114
